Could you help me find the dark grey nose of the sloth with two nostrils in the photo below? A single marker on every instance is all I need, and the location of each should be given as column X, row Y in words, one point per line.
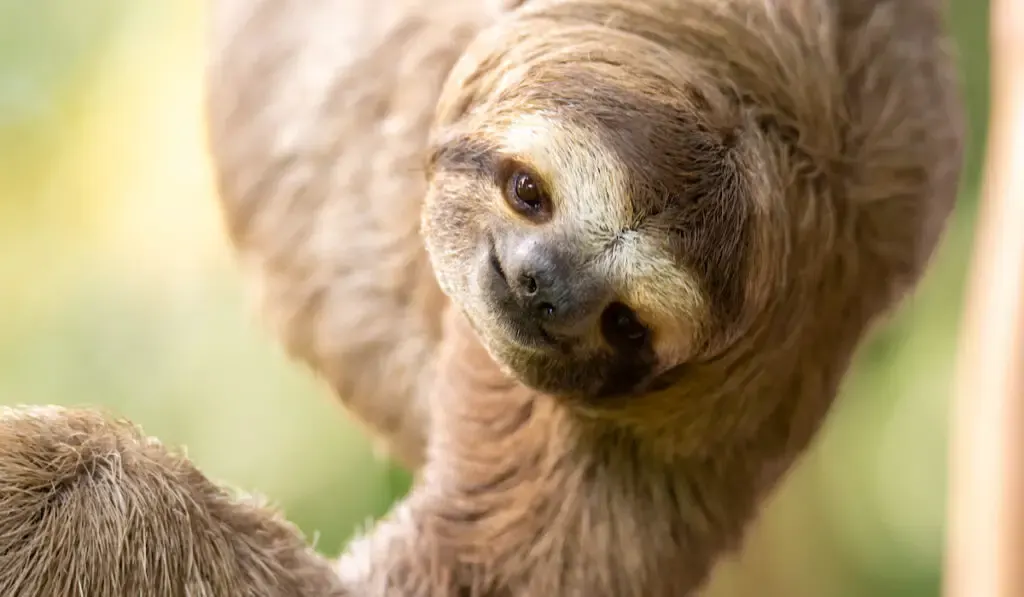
column 563, row 301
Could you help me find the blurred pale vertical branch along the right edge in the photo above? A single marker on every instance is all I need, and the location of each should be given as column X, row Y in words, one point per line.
column 987, row 506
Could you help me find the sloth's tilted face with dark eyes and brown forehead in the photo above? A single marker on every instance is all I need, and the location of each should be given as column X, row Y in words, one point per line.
column 595, row 252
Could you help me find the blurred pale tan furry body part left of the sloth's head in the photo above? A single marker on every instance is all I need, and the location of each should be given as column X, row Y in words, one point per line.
column 319, row 115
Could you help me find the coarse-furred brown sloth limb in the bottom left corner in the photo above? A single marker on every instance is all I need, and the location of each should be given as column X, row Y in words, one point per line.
column 90, row 507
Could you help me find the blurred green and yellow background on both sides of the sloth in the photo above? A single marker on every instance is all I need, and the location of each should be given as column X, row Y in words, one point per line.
column 117, row 290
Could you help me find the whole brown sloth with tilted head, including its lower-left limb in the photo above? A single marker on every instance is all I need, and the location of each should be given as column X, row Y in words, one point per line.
column 595, row 270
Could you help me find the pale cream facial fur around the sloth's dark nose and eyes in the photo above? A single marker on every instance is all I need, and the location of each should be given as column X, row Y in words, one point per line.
column 595, row 219
